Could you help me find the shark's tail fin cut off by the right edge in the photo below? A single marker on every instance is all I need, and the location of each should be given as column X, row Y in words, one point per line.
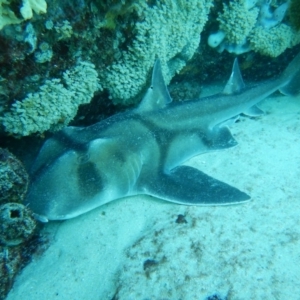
column 291, row 78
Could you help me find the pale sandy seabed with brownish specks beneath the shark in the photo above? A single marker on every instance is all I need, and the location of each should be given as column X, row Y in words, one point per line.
column 249, row 251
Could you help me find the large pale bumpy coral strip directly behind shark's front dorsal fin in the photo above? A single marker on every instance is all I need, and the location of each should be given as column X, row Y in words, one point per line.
column 169, row 30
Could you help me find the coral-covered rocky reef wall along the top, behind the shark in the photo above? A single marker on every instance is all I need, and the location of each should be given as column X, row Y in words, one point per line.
column 57, row 57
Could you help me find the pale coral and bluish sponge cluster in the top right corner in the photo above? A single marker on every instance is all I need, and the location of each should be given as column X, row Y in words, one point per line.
column 247, row 25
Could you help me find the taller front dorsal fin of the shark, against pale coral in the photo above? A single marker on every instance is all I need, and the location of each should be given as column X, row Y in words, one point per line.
column 157, row 95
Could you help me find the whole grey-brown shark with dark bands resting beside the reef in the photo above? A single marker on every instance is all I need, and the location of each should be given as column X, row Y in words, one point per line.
column 141, row 151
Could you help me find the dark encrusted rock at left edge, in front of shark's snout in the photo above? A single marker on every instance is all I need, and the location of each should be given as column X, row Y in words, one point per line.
column 19, row 234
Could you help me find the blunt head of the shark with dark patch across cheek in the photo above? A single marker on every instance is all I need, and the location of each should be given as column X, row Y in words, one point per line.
column 77, row 180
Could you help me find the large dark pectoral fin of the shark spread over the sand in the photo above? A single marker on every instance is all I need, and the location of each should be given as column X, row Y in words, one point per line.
column 189, row 186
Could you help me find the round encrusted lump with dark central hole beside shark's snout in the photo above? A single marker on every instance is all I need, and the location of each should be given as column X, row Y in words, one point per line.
column 17, row 224
